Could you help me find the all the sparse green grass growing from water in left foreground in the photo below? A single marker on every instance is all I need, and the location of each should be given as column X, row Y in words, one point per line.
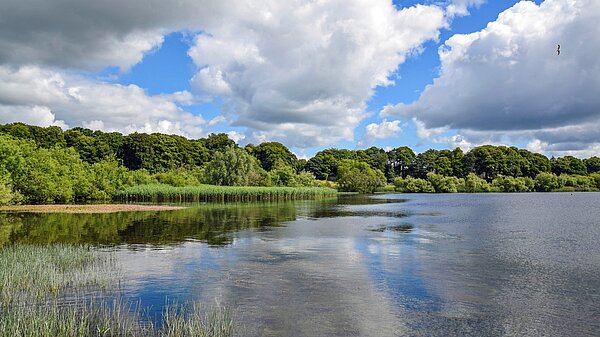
column 63, row 290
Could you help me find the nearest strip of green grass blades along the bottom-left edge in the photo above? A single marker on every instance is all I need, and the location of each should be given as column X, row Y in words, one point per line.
column 111, row 318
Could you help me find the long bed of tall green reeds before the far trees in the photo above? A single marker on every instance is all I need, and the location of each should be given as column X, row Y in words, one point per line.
column 159, row 192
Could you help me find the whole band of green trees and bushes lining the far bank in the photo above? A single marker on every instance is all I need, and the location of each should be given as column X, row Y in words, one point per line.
column 51, row 165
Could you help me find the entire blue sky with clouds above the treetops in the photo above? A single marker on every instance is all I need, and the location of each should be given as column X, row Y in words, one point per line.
column 312, row 74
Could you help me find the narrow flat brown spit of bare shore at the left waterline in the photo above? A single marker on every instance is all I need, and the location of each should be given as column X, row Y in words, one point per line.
column 87, row 209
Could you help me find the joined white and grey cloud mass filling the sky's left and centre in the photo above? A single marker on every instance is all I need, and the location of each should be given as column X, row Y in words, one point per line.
column 293, row 71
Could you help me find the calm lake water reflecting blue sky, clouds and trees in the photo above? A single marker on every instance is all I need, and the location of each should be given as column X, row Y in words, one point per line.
column 393, row 265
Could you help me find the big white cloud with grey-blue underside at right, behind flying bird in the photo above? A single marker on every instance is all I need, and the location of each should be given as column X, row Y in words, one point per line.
column 508, row 78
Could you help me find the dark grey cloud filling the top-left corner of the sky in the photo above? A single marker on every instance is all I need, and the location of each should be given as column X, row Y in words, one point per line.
column 94, row 34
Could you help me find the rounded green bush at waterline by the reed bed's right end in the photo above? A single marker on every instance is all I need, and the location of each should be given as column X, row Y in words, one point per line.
column 355, row 176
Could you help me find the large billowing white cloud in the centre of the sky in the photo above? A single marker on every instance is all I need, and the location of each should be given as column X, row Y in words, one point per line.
column 300, row 72
